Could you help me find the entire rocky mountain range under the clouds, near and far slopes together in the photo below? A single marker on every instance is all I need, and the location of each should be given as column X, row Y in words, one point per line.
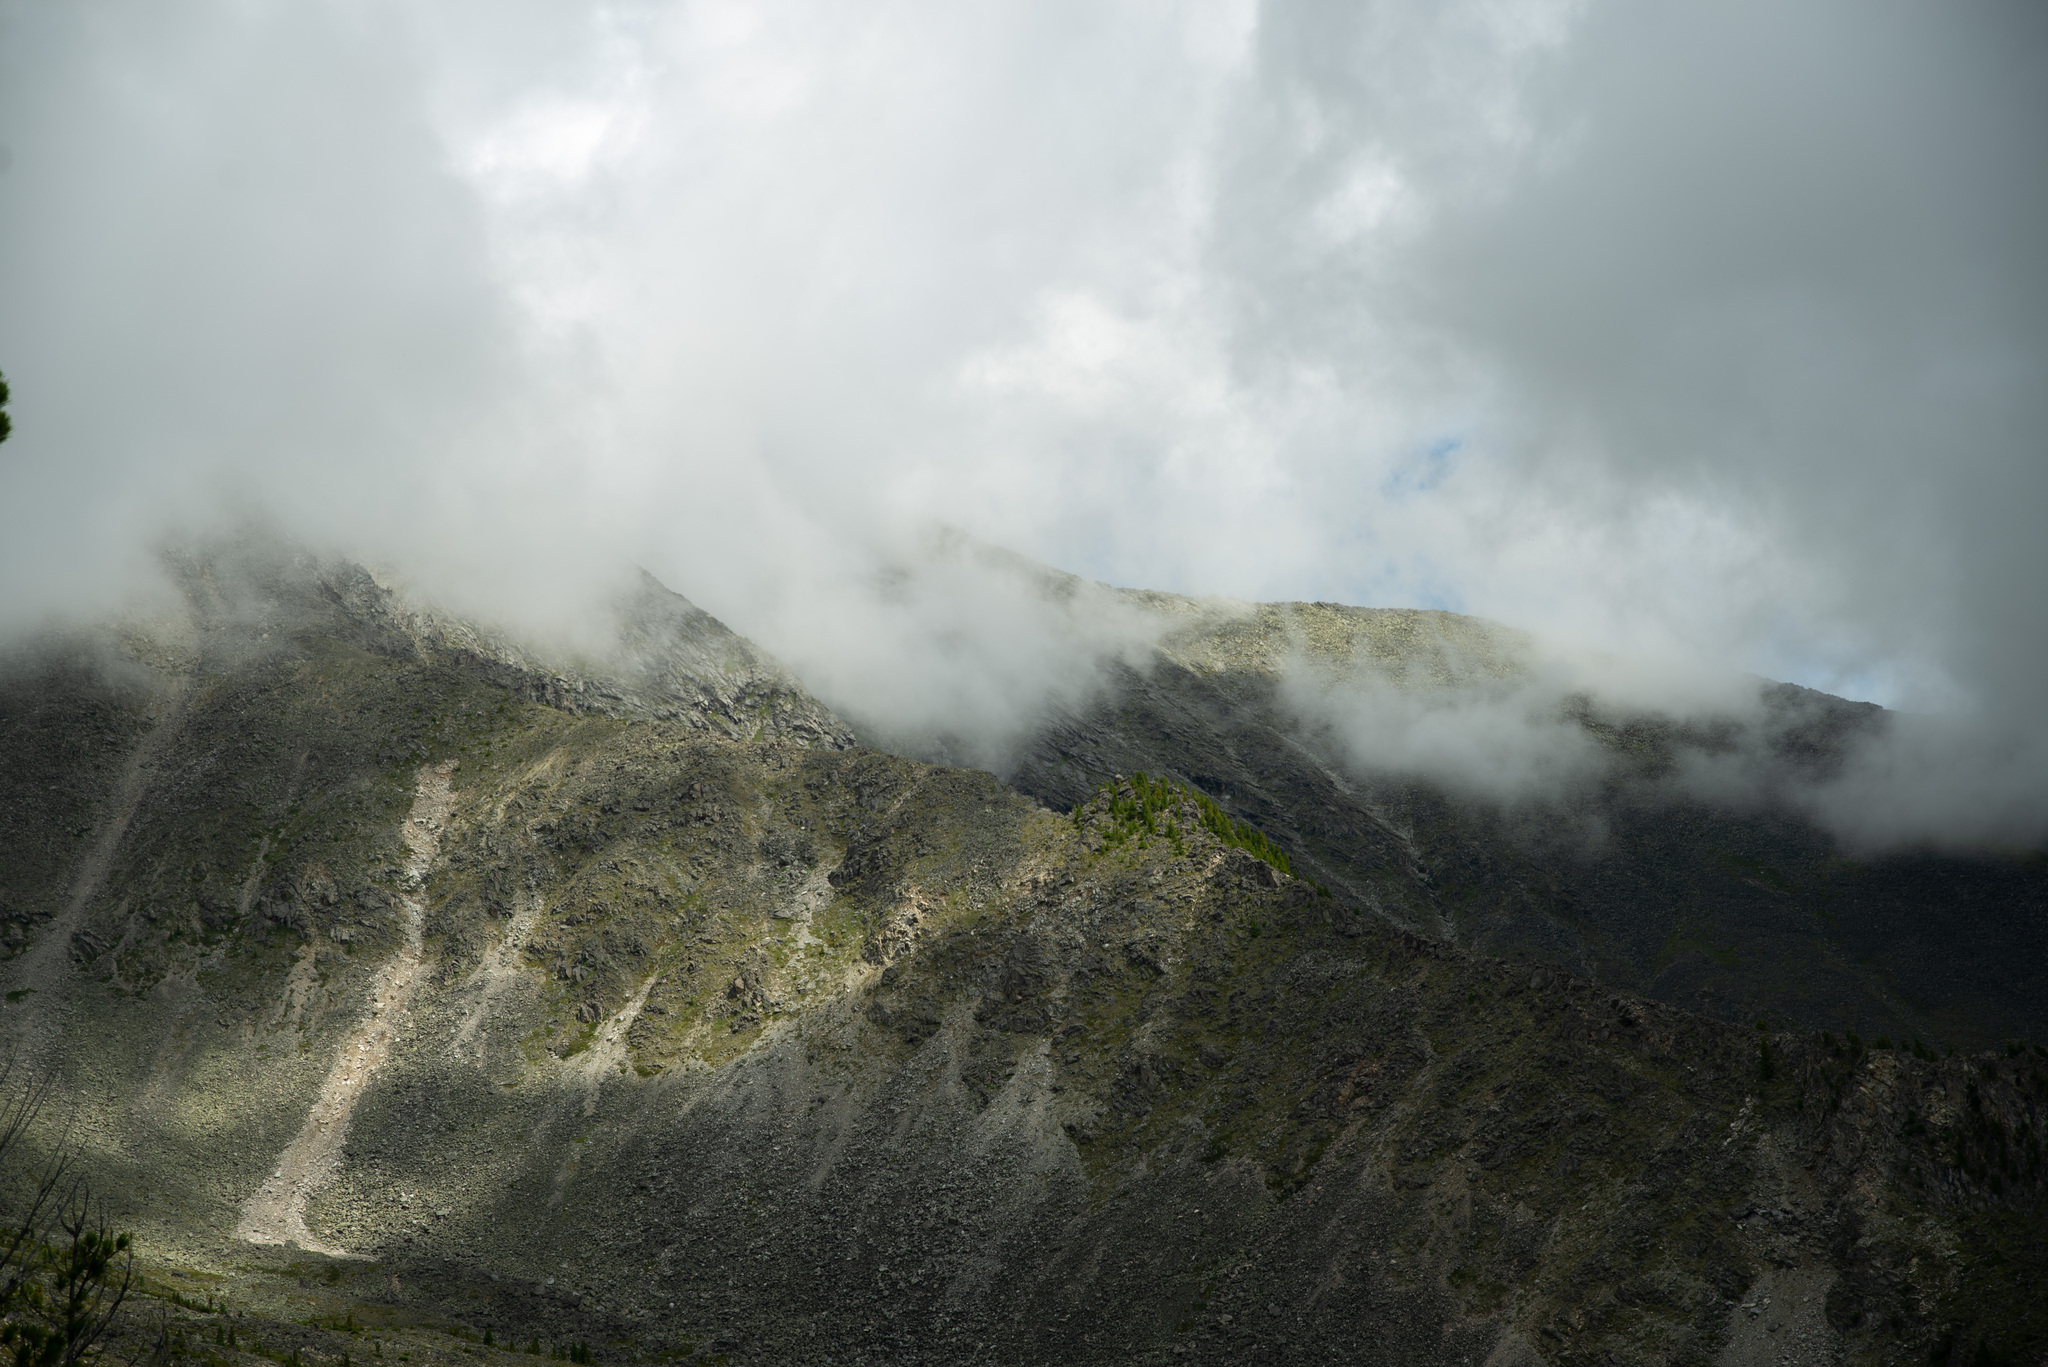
column 421, row 995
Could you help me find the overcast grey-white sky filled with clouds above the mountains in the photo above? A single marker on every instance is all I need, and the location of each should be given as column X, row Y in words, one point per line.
column 1709, row 331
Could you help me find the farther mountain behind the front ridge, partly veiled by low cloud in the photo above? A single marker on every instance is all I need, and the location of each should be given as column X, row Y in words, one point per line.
column 1725, row 899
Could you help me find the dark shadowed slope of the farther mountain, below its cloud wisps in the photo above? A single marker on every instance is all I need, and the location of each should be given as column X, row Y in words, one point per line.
column 1715, row 895
